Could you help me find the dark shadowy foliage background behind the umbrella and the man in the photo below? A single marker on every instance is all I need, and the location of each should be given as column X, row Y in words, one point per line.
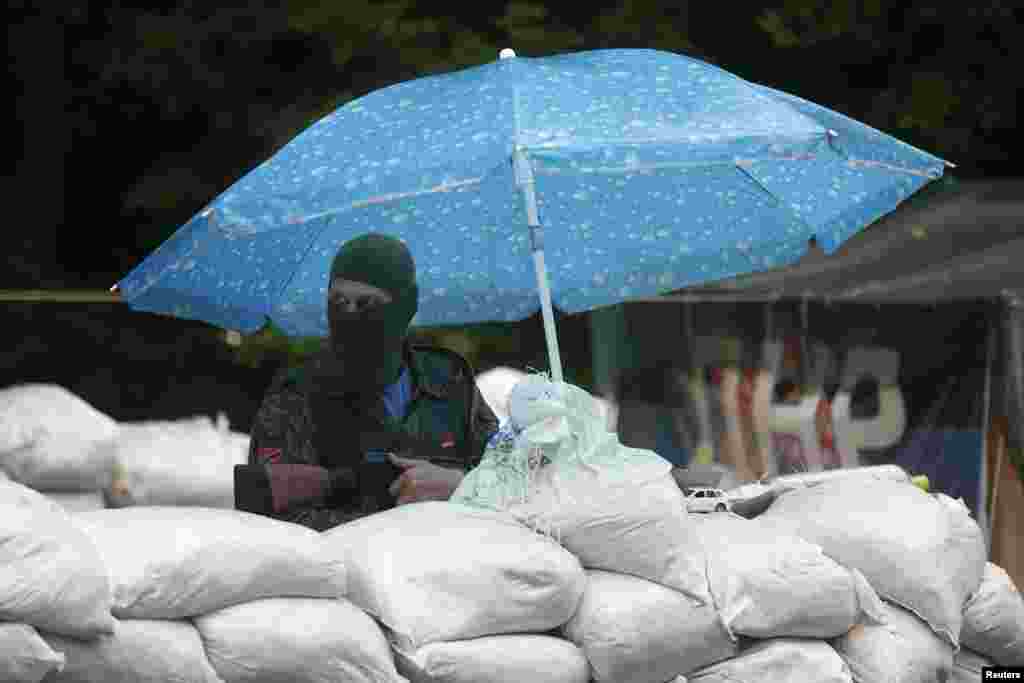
column 130, row 120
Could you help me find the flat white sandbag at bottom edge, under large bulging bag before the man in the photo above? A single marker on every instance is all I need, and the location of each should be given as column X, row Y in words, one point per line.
column 496, row 660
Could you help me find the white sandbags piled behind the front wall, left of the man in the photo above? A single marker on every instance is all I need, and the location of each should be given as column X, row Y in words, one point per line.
column 58, row 444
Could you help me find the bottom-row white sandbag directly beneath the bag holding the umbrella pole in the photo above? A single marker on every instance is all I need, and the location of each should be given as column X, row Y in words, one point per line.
column 635, row 631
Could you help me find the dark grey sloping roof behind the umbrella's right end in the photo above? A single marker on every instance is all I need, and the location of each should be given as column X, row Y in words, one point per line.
column 964, row 244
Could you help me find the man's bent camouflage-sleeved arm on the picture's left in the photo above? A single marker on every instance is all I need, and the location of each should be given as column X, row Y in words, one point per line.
column 301, row 491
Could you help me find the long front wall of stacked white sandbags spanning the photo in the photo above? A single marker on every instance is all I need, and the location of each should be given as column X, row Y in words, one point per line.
column 602, row 576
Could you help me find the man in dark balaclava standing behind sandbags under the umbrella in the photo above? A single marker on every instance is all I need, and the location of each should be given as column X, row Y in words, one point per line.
column 372, row 421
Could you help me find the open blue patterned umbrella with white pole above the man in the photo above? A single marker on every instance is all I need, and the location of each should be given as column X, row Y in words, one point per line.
column 650, row 173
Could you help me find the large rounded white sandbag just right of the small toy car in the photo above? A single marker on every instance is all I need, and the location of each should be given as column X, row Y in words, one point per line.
column 920, row 551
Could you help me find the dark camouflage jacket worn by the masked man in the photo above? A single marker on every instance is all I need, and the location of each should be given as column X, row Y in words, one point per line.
column 309, row 467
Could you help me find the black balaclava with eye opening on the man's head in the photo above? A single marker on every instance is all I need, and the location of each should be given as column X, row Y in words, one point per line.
column 367, row 347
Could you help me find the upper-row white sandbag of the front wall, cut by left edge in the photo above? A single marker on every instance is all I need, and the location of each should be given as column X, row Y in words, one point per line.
column 52, row 574
